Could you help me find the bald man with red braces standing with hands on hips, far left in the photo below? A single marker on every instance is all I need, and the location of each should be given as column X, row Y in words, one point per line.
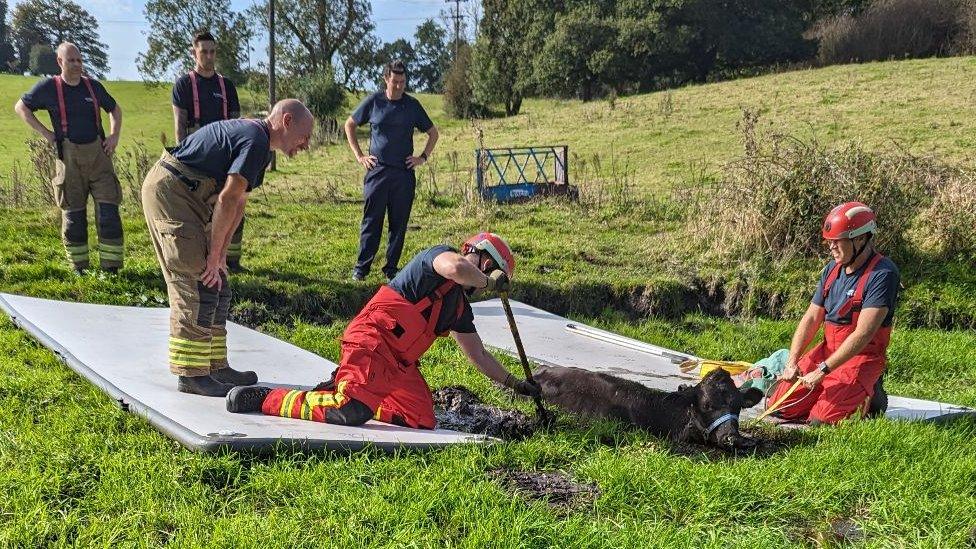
column 84, row 163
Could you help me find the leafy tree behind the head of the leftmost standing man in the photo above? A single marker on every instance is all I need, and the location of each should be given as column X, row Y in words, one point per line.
column 51, row 22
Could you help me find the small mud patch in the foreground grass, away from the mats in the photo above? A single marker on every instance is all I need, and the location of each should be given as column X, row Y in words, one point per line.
column 554, row 487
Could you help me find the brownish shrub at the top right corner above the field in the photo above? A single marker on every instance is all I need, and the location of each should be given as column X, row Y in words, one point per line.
column 892, row 29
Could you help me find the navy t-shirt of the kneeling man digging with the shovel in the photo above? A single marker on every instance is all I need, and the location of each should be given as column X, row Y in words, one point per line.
column 418, row 280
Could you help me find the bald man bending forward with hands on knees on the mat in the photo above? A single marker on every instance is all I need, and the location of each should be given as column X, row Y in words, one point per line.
column 193, row 199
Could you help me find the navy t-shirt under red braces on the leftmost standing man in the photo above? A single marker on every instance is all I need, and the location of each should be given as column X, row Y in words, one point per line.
column 78, row 102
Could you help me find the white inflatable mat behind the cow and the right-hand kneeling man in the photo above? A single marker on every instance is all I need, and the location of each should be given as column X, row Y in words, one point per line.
column 553, row 340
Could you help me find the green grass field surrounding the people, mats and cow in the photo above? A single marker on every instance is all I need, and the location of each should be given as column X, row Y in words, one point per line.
column 75, row 470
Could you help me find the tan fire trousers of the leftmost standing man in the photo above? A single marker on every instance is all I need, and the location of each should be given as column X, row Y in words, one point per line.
column 80, row 171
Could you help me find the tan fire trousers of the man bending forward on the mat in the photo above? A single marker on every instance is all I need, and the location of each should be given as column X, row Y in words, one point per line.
column 179, row 226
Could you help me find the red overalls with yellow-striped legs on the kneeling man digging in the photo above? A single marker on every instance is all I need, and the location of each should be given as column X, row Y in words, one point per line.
column 381, row 348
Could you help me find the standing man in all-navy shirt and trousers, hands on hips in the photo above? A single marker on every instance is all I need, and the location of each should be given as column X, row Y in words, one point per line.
column 390, row 180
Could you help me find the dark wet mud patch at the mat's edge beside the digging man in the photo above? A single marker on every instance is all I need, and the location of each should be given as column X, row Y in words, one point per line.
column 459, row 409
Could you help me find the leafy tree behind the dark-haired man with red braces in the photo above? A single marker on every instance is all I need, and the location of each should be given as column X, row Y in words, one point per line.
column 173, row 24
